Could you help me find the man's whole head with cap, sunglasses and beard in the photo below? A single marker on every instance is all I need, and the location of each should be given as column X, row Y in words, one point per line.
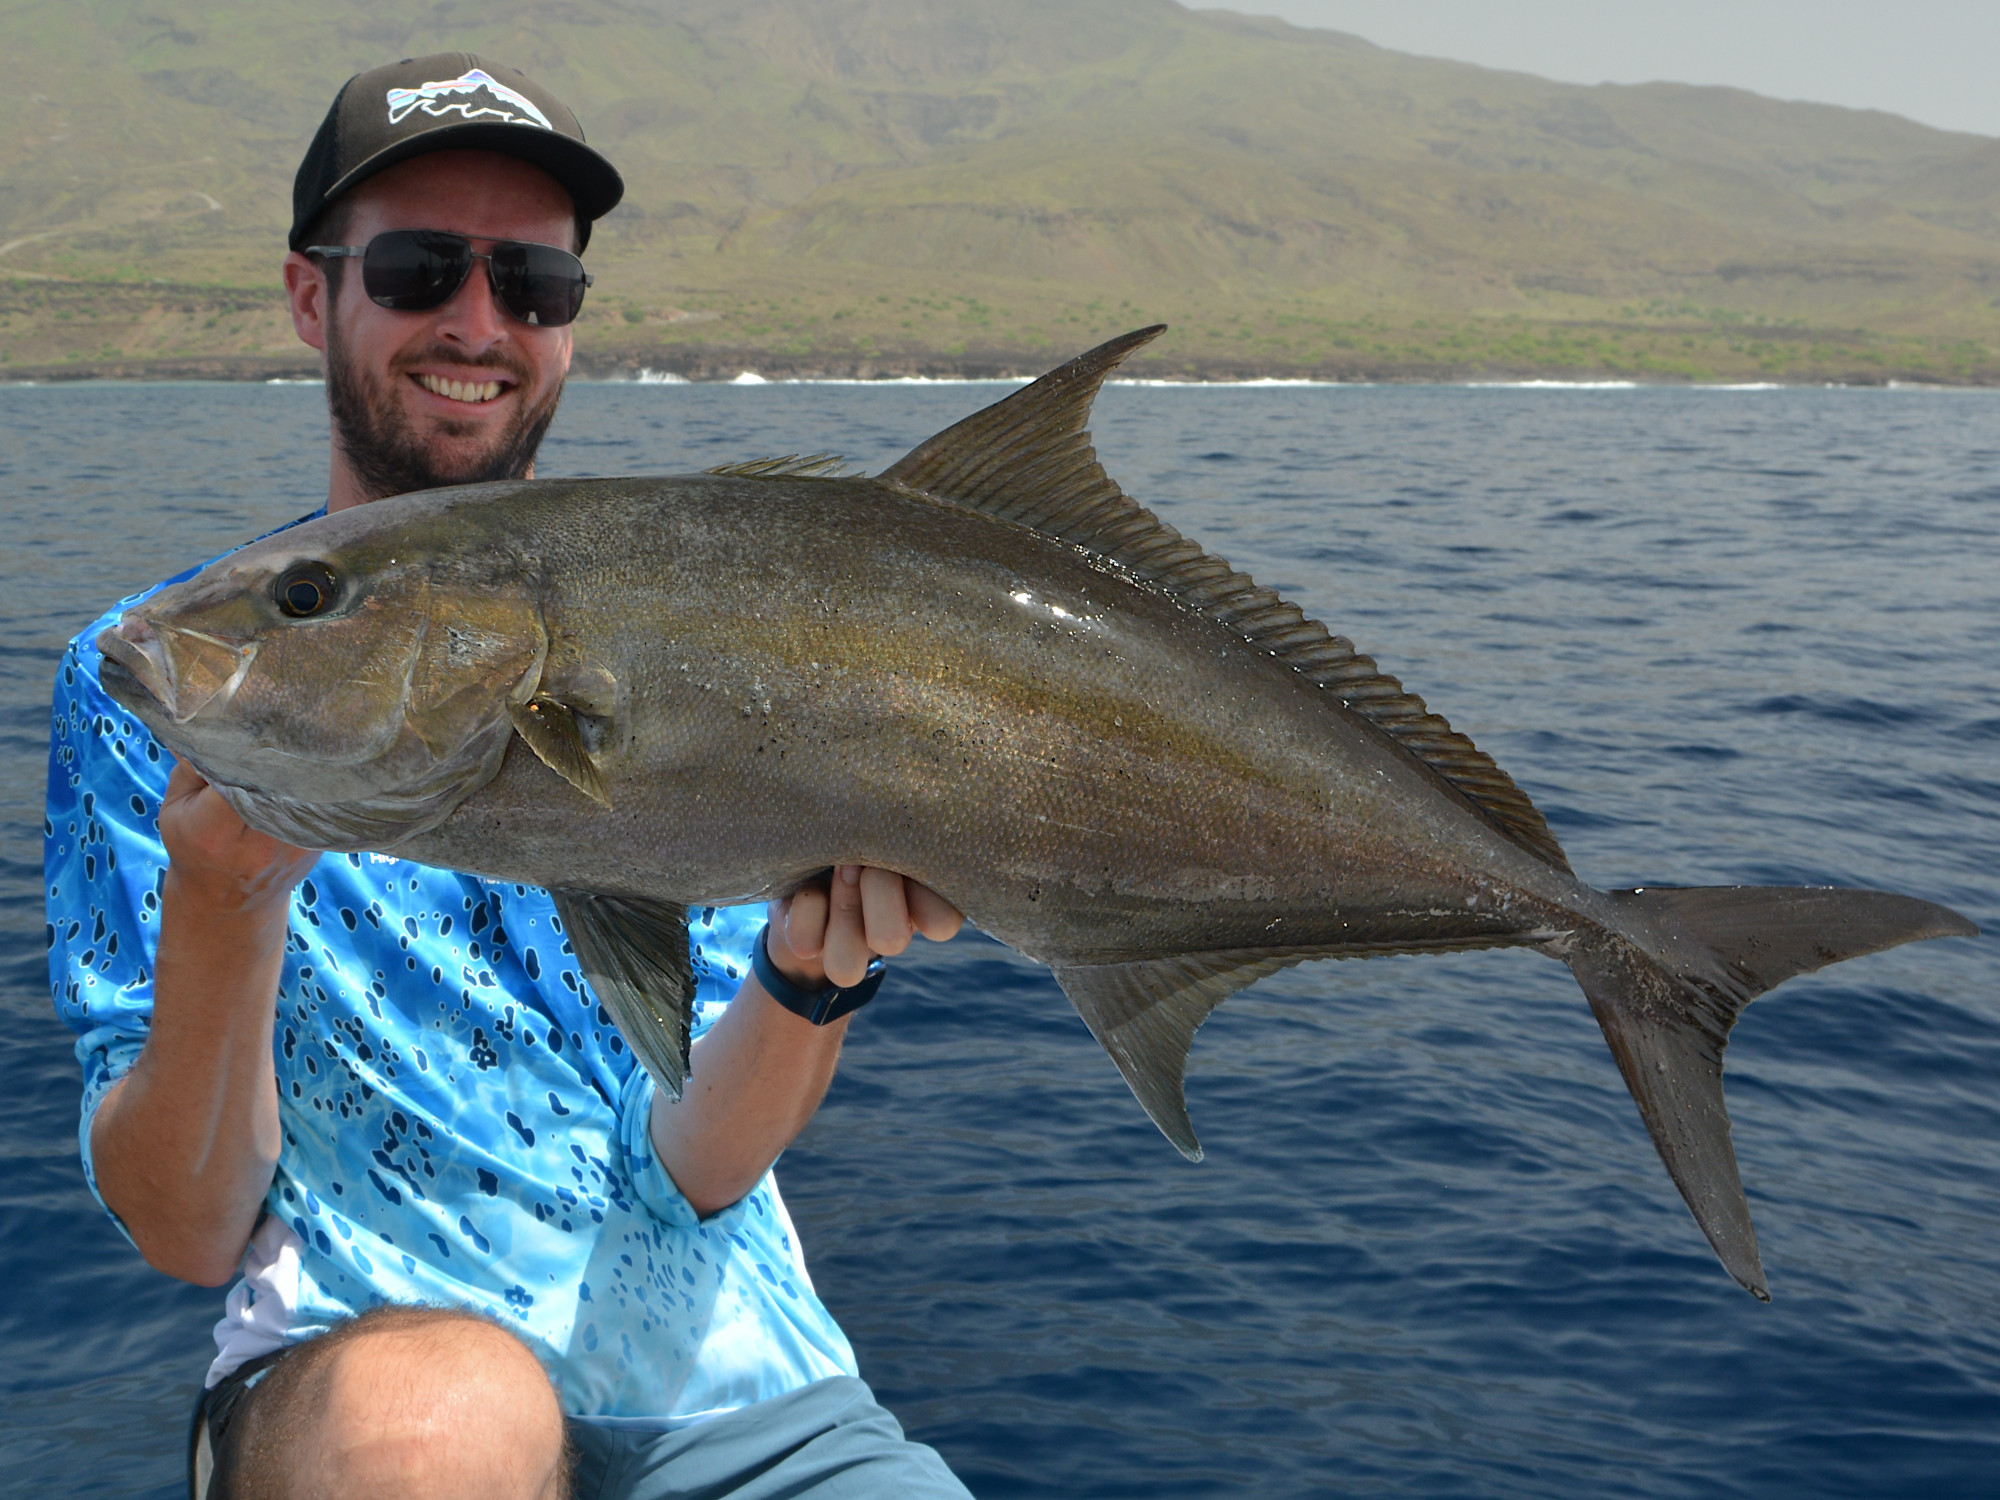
column 437, row 229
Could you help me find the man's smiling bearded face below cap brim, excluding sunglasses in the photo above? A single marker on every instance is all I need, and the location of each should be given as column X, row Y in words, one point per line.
column 465, row 391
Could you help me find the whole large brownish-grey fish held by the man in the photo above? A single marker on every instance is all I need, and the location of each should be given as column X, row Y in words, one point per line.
column 985, row 669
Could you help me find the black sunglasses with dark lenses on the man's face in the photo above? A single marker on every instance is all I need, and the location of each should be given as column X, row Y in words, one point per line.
column 415, row 271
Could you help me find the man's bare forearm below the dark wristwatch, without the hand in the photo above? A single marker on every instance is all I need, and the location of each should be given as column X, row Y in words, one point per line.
column 757, row 1079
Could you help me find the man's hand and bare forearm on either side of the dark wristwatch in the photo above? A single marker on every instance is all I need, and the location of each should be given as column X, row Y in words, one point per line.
column 761, row 1071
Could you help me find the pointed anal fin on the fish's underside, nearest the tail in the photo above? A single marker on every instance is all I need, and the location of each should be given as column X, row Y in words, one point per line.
column 1147, row 1013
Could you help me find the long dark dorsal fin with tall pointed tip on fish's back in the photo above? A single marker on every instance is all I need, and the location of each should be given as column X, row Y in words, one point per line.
column 1029, row 459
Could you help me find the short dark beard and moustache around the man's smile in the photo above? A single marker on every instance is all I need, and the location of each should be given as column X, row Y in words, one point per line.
column 387, row 453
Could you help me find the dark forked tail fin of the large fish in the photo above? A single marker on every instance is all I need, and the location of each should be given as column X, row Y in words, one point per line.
column 1667, row 1013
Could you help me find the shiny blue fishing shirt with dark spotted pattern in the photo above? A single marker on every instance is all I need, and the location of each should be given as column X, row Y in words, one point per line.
column 463, row 1123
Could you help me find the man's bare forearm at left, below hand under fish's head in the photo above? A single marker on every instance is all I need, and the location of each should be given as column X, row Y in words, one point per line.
column 187, row 1143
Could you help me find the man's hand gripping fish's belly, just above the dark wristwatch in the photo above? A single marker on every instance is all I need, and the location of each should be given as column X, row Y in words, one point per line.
column 831, row 933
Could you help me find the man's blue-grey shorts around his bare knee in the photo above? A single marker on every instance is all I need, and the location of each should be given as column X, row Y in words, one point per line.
column 827, row 1441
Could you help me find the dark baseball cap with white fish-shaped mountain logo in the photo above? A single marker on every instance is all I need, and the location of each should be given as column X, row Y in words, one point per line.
column 449, row 101
